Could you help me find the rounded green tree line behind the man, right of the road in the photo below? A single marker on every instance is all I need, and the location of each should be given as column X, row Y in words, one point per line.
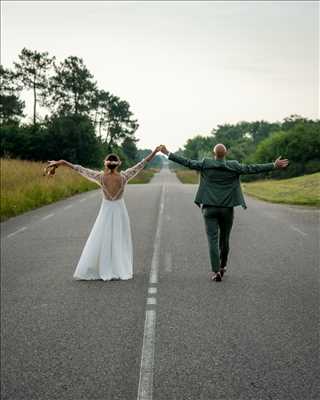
column 295, row 138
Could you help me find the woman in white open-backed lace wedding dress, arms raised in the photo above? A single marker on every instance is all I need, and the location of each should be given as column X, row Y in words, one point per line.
column 108, row 252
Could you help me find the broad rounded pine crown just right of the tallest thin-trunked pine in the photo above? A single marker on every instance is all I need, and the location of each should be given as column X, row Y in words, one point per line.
column 71, row 88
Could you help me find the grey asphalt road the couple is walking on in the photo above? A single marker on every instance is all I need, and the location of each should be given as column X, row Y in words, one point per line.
column 253, row 336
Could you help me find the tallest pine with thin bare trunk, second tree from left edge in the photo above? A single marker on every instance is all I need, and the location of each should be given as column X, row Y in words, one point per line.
column 32, row 72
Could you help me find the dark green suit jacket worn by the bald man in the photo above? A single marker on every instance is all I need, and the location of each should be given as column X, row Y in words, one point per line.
column 220, row 179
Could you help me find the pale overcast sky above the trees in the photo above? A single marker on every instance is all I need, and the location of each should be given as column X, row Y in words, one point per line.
column 184, row 67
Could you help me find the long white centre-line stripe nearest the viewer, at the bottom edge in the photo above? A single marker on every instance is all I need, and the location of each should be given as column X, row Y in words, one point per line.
column 147, row 358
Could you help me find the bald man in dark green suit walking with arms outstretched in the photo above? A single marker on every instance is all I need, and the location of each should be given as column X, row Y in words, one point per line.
column 218, row 193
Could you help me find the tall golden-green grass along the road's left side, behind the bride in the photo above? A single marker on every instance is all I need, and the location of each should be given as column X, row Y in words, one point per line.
column 24, row 187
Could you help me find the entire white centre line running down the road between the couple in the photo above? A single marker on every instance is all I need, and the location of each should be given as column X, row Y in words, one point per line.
column 145, row 389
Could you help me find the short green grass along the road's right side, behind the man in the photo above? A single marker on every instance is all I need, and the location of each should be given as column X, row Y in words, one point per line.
column 302, row 190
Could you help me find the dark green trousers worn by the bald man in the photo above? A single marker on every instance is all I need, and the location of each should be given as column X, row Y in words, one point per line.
column 218, row 223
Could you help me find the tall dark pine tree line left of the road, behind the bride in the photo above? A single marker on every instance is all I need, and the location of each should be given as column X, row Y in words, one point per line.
column 80, row 122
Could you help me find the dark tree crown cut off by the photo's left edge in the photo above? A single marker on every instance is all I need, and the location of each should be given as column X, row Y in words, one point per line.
column 11, row 107
